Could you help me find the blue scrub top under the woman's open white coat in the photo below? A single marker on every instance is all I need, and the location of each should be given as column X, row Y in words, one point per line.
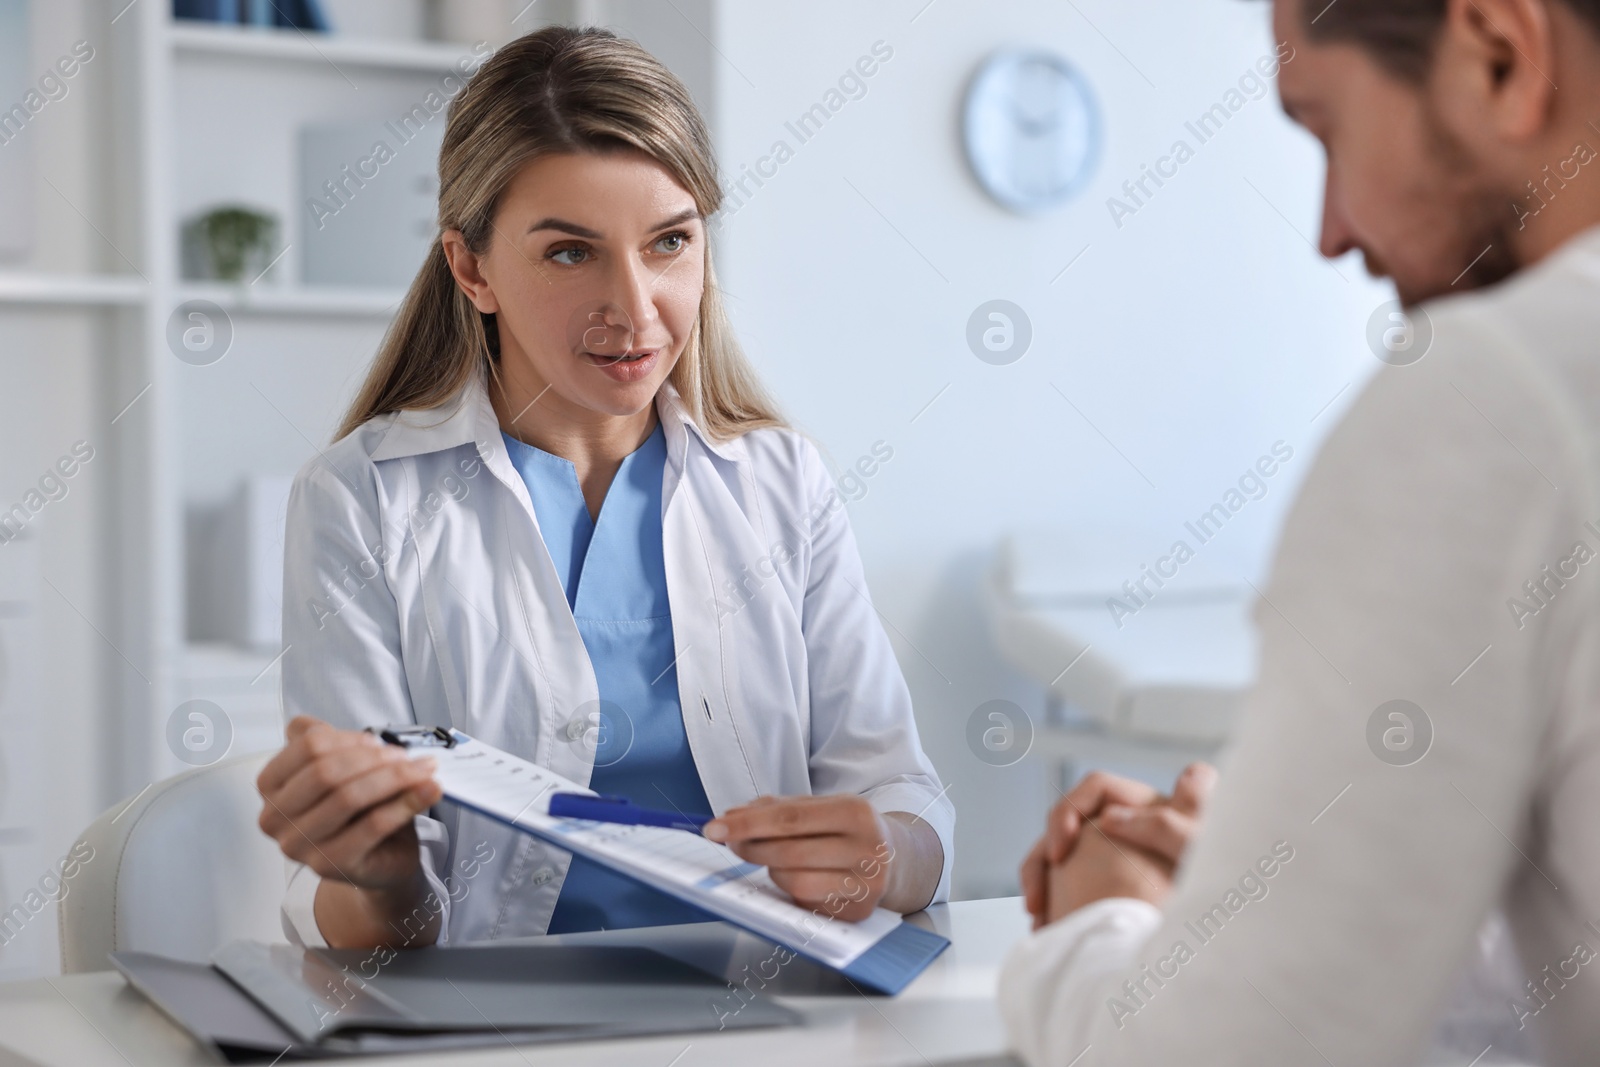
column 615, row 577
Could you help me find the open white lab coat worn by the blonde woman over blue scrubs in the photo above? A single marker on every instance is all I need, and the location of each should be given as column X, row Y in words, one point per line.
column 417, row 588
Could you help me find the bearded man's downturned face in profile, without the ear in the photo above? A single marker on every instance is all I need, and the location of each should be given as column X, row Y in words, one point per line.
column 1401, row 188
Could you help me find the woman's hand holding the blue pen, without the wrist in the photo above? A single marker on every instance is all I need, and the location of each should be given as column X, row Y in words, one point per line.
column 830, row 853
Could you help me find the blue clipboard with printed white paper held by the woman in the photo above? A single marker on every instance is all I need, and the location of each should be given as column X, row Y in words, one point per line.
column 882, row 953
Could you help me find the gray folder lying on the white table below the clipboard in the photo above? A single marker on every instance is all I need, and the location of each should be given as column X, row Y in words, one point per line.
column 260, row 1002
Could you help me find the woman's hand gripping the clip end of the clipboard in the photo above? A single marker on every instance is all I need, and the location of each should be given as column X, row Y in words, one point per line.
column 343, row 802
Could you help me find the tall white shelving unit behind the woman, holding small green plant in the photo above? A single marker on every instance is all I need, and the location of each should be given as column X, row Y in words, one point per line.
column 212, row 118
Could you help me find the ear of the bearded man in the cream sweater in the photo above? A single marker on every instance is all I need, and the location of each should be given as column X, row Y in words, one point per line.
column 1495, row 70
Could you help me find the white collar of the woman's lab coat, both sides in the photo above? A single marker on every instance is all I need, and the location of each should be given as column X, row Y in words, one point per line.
column 471, row 418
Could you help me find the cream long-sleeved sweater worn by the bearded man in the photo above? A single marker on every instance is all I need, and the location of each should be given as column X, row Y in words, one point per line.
column 1446, row 553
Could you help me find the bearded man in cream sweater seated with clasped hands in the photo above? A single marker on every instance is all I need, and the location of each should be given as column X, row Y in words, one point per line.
column 1423, row 746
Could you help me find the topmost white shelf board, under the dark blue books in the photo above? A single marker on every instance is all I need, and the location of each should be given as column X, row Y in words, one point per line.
column 289, row 46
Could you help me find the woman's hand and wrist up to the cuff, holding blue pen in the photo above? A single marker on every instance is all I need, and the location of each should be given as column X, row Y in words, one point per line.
column 836, row 855
